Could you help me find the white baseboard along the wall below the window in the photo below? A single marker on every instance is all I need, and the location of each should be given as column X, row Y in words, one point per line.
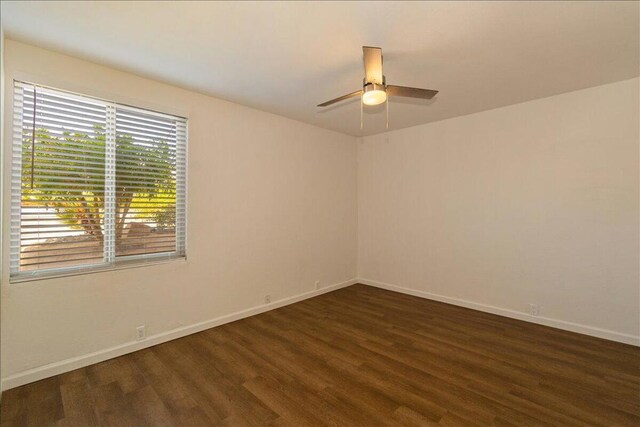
column 67, row 365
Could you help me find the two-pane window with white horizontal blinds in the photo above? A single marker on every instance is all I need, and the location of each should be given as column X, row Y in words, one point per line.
column 94, row 184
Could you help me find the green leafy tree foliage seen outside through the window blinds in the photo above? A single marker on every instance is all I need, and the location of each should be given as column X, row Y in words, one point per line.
column 69, row 176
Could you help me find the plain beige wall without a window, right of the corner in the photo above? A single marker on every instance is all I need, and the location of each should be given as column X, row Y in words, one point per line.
column 531, row 203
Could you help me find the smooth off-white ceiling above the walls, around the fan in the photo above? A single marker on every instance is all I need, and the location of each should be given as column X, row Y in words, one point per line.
column 286, row 57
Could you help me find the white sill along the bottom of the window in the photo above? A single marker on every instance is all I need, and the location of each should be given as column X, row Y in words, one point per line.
column 78, row 271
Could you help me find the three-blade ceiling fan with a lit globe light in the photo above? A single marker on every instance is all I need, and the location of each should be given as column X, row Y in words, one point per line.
column 375, row 89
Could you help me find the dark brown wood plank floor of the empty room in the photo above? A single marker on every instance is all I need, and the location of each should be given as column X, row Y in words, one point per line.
column 357, row 356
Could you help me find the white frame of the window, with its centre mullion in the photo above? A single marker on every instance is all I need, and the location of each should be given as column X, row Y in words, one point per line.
column 110, row 261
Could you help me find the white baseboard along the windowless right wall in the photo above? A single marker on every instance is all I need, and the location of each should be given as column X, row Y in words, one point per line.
column 554, row 323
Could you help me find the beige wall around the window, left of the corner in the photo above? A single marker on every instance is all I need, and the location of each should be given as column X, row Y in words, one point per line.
column 272, row 209
